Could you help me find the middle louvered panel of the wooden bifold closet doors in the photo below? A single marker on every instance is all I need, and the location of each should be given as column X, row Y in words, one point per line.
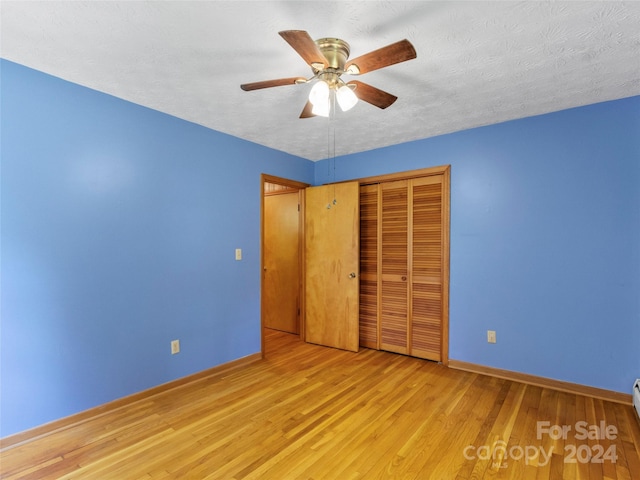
column 394, row 267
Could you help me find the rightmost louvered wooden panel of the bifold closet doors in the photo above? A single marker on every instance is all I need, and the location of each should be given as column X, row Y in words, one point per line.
column 426, row 267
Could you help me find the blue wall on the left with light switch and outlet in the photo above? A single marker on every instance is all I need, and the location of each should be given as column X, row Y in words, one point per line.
column 119, row 228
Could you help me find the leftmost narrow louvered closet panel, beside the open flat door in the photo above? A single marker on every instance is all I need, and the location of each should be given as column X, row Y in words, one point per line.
column 369, row 266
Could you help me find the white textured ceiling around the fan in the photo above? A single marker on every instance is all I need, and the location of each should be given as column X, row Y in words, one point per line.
column 478, row 62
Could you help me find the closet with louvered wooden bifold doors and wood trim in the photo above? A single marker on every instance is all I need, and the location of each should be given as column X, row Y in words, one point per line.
column 404, row 263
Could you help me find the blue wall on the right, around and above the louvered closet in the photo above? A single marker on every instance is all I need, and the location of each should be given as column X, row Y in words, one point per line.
column 545, row 239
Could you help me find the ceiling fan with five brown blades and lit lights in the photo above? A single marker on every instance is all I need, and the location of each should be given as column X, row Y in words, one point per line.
column 328, row 59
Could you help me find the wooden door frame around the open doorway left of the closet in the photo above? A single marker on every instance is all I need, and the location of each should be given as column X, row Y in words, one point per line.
column 300, row 187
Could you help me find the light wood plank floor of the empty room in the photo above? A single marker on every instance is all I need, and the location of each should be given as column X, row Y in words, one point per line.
column 310, row 412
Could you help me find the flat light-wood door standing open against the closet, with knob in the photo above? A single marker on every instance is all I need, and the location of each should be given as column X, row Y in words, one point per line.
column 332, row 265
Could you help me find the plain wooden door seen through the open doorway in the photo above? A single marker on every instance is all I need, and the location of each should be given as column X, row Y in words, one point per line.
column 281, row 275
